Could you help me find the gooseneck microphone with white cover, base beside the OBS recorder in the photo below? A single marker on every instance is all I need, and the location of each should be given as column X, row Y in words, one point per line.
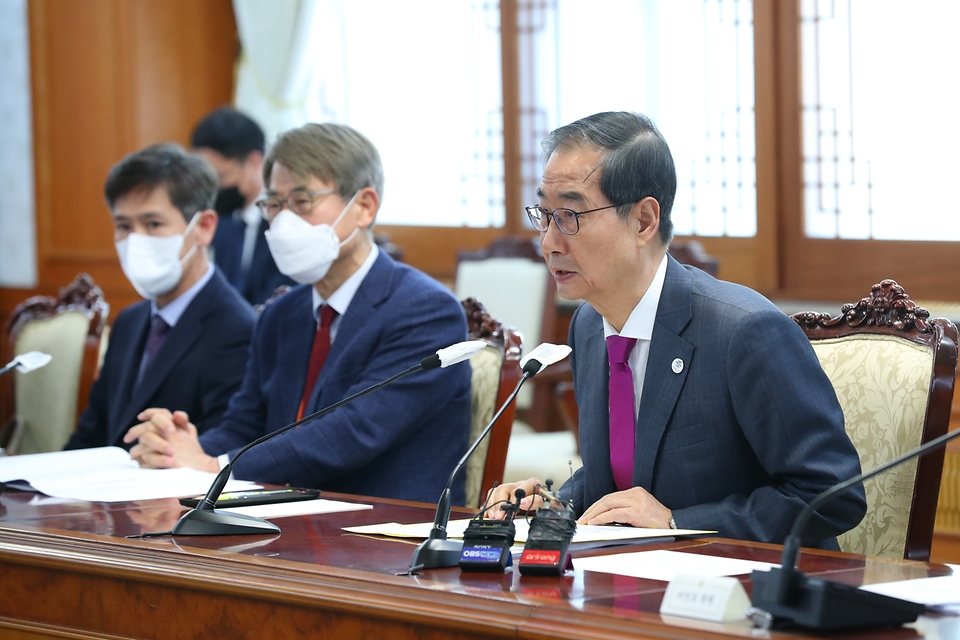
column 437, row 551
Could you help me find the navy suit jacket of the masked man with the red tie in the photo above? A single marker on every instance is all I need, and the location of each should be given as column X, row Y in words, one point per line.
column 401, row 441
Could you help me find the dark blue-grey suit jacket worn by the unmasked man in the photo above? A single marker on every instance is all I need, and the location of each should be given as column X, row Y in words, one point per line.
column 738, row 441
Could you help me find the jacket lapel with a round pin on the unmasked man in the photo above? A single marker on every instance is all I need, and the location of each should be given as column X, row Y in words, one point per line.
column 661, row 384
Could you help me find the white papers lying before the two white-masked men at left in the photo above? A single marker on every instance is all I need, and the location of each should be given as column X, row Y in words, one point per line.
column 105, row 474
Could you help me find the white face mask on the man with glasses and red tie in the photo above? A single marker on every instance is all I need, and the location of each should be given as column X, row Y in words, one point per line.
column 303, row 251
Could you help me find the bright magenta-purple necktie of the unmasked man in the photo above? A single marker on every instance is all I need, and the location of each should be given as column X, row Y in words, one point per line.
column 622, row 412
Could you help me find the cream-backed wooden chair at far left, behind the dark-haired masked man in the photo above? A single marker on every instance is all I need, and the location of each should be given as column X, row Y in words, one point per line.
column 46, row 402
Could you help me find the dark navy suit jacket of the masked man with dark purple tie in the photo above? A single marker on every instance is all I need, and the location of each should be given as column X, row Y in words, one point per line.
column 198, row 367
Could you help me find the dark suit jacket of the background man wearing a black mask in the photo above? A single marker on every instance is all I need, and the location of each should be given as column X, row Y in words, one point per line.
column 263, row 277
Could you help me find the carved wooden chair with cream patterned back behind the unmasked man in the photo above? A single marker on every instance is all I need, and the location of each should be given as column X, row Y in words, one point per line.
column 893, row 369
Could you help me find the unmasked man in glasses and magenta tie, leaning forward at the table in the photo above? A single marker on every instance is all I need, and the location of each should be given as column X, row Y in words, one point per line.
column 701, row 405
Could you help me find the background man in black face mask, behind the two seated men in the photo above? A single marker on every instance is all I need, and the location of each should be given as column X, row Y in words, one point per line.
column 234, row 145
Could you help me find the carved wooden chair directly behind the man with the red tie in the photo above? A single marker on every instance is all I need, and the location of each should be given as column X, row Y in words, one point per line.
column 496, row 371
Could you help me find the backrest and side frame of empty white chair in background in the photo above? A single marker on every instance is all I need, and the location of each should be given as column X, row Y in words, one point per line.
column 528, row 303
